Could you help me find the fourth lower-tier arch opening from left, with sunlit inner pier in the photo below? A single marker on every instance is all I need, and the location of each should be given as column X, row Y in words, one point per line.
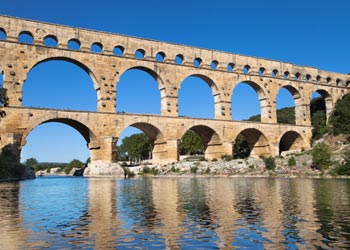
column 251, row 143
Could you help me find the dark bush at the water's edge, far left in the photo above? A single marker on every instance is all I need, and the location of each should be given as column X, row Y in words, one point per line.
column 10, row 166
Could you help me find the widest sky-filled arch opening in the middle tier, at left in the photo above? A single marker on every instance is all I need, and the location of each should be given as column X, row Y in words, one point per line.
column 60, row 84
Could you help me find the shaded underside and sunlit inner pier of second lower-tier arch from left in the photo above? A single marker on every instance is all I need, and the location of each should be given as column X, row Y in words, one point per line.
column 156, row 137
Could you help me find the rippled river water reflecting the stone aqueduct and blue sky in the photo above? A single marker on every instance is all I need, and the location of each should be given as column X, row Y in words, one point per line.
column 175, row 213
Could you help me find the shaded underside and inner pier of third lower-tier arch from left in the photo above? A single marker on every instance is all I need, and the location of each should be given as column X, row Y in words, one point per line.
column 211, row 141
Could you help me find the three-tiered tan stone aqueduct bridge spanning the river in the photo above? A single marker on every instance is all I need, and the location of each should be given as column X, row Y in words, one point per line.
column 169, row 64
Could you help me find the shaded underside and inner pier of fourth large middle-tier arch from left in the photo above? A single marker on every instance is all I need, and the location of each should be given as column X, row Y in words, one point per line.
column 263, row 102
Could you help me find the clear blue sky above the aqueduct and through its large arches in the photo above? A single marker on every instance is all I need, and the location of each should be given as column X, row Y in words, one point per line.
column 312, row 33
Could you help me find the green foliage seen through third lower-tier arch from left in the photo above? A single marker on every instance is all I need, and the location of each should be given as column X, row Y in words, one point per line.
column 191, row 144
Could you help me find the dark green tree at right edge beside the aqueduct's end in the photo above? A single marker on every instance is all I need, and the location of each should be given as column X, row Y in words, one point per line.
column 340, row 117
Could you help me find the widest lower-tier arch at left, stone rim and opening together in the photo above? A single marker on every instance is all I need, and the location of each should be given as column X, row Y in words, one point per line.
column 49, row 133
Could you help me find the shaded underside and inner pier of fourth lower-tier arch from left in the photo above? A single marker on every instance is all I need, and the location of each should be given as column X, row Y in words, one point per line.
column 257, row 142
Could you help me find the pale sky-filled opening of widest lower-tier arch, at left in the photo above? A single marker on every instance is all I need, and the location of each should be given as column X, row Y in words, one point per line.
column 57, row 141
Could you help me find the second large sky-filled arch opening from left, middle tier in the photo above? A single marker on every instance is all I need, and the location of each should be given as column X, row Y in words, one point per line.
column 137, row 92
